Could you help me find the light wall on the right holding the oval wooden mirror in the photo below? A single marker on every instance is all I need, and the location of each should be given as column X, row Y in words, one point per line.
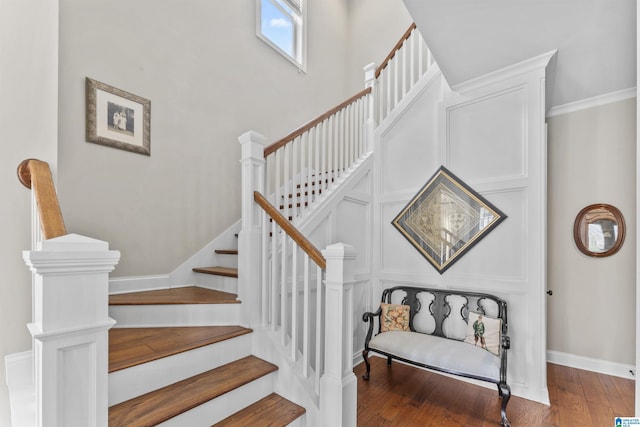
column 592, row 159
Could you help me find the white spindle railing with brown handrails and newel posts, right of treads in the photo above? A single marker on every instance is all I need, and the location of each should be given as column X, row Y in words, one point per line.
column 305, row 305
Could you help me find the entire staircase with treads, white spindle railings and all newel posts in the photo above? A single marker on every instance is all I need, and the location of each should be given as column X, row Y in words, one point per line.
column 184, row 356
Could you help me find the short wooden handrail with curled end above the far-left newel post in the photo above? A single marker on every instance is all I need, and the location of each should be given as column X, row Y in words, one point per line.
column 36, row 174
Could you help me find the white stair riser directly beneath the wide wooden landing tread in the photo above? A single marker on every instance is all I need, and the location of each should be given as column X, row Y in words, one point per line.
column 140, row 316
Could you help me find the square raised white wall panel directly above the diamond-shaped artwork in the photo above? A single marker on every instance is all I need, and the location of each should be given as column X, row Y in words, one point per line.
column 487, row 137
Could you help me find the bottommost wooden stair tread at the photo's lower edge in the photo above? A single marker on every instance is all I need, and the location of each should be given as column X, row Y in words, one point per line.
column 273, row 410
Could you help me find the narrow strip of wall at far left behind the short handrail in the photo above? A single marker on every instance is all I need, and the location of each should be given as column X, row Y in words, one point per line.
column 28, row 128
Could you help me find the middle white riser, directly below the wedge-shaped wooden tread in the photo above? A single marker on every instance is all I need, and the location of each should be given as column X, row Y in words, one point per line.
column 131, row 382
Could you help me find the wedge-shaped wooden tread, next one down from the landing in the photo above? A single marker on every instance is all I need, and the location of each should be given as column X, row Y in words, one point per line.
column 134, row 346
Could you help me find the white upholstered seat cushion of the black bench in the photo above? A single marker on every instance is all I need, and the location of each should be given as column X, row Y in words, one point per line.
column 447, row 354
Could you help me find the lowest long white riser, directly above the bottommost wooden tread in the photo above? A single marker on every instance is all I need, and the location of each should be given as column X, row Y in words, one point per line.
column 229, row 403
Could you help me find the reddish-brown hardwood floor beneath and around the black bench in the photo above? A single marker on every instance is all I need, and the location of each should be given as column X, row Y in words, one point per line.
column 406, row 396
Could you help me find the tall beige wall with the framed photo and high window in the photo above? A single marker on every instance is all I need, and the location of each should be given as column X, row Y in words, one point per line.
column 209, row 79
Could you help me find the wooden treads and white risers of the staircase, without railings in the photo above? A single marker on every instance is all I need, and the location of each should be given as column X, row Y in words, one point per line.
column 185, row 375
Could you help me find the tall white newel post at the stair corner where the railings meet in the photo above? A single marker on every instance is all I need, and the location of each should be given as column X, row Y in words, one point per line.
column 250, row 236
